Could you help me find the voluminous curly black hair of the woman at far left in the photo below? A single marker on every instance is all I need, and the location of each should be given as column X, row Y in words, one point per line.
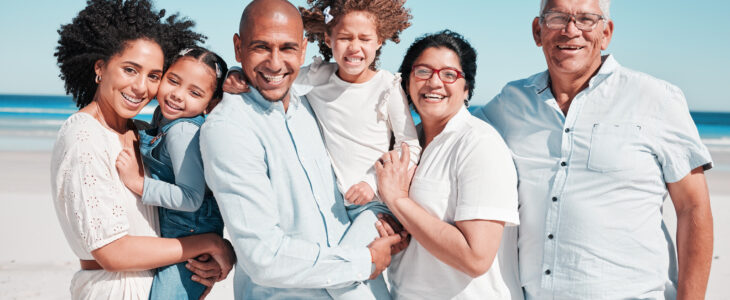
column 103, row 29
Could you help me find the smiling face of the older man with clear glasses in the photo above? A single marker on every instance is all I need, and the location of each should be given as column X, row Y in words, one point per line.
column 570, row 50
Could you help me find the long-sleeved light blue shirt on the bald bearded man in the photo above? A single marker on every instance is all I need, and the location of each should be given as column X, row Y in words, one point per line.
column 272, row 178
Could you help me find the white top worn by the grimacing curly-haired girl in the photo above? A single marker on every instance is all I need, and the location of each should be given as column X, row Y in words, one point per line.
column 358, row 120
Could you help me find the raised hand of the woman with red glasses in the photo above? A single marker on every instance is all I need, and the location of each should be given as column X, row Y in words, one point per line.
column 394, row 177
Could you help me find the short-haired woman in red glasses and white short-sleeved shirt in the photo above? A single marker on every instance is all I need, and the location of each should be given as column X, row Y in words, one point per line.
column 463, row 195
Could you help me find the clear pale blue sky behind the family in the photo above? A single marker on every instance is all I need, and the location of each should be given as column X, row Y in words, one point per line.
column 684, row 42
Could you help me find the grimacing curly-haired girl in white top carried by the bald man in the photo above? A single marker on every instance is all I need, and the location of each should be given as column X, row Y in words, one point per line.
column 359, row 108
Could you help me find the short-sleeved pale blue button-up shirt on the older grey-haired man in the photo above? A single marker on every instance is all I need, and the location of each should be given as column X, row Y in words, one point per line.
column 592, row 183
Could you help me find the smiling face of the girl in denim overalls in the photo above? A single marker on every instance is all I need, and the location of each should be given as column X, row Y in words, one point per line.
column 186, row 89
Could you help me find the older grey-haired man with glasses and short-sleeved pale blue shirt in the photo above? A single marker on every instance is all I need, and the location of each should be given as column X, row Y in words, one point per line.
column 598, row 147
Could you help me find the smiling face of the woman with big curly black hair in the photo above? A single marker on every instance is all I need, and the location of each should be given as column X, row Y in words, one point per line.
column 129, row 79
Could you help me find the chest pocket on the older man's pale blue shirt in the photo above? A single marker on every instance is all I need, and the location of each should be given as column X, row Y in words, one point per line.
column 611, row 148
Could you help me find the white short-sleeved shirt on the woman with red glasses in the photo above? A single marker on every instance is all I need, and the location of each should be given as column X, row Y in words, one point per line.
column 465, row 173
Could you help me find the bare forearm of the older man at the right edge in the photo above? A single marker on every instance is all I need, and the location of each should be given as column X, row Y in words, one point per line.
column 694, row 233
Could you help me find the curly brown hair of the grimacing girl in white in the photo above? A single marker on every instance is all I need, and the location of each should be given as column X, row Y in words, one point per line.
column 390, row 16
